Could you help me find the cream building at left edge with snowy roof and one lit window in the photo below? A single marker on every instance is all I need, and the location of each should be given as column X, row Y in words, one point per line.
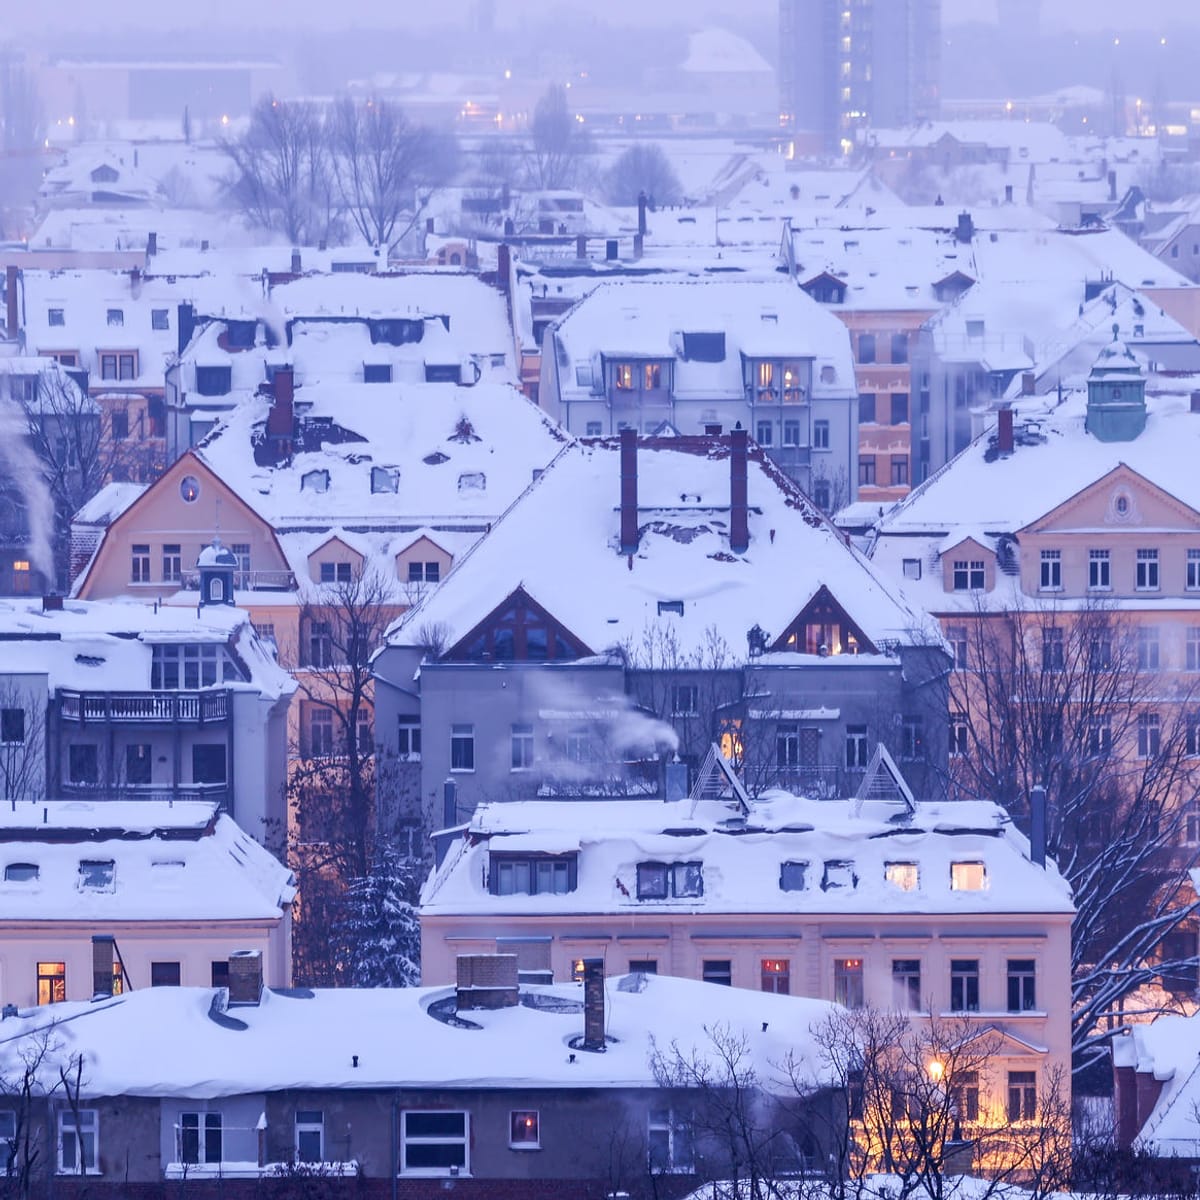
column 148, row 895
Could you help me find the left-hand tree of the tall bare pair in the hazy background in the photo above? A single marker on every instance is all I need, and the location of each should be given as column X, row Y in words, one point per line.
column 284, row 176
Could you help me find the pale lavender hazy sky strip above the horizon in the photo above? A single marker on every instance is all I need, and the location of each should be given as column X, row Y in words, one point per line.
column 83, row 15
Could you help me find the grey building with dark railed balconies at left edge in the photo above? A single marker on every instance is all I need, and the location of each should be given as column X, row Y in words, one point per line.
column 123, row 703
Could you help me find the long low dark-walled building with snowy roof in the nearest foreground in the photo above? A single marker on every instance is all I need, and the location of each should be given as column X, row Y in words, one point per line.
column 538, row 1093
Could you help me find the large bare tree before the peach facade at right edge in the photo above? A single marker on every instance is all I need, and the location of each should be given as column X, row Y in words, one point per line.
column 1077, row 704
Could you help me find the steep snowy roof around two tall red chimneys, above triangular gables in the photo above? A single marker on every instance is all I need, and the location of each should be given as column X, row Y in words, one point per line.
column 604, row 599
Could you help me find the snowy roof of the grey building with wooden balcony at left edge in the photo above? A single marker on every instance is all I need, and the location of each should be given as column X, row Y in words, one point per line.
column 107, row 646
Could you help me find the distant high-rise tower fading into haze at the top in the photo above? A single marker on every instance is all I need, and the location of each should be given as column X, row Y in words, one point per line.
column 850, row 64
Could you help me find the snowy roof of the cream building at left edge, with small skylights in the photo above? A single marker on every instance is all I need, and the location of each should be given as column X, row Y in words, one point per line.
column 183, row 862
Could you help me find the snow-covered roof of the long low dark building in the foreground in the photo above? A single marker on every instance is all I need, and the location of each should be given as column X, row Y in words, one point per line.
column 182, row 1042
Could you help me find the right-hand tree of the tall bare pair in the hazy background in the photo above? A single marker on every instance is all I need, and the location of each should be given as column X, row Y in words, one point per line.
column 388, row 169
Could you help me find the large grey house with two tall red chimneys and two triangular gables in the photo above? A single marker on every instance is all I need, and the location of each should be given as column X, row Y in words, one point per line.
column 641, row 601
